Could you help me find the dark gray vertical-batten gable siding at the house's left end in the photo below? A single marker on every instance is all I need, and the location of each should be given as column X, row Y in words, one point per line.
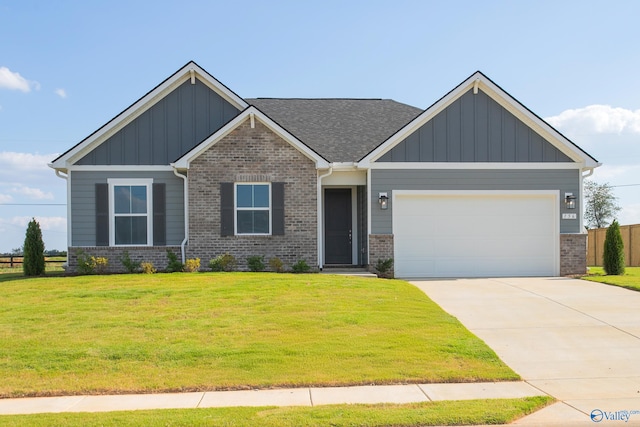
column 170, row 128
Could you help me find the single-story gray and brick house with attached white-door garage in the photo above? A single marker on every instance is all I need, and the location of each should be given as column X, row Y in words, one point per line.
column 475, row 185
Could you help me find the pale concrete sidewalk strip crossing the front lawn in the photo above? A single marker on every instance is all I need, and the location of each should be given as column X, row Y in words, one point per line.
column 275, row 397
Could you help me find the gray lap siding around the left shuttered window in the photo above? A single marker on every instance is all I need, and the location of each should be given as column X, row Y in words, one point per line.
column 83, row 200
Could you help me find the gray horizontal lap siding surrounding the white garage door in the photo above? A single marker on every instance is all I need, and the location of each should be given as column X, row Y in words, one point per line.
column 387, row 180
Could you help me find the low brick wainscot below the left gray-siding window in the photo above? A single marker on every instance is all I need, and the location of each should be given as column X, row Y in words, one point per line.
column 155, row 254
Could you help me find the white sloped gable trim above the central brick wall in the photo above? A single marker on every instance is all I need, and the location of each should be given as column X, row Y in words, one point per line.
column 184, row 162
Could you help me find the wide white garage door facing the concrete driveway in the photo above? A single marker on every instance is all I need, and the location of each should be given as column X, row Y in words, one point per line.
column 475, row 234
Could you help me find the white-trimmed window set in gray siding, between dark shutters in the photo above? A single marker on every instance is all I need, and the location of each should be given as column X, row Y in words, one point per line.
column 130, row 207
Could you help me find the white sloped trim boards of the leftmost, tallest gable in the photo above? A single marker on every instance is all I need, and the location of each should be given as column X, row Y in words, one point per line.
column 142, row 105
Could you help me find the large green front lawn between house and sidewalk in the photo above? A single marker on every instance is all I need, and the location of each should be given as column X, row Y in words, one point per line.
column 206, row 331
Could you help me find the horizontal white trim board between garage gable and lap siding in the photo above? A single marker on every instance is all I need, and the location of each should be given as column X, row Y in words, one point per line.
column 477, row 165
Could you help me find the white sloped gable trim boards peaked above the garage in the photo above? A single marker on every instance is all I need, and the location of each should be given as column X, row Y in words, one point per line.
column 501, row 97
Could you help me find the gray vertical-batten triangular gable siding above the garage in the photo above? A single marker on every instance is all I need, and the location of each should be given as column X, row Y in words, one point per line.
column 474, row 128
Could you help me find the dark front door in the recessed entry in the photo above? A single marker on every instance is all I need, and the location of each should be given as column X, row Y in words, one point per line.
column 337, row 226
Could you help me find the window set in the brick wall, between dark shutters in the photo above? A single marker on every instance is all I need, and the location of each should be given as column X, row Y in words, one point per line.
column 253, row 208
